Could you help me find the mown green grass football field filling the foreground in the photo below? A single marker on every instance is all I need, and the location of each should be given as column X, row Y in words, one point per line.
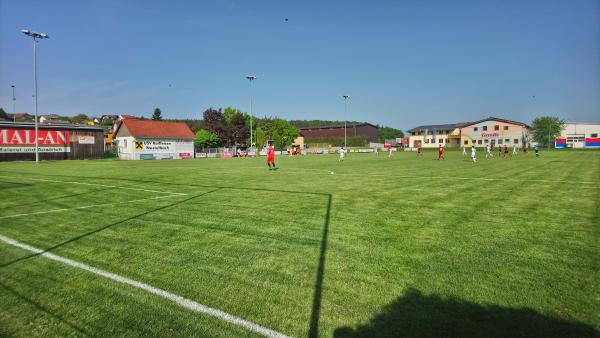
column 369, row 247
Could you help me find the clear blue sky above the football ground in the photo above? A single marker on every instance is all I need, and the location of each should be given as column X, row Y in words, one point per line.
column 404, row 63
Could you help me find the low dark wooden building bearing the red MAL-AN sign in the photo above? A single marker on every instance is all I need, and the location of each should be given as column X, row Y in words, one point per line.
column 58, row 141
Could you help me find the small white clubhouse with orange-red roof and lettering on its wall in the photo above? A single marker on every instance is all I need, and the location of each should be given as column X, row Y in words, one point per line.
column 153, row 140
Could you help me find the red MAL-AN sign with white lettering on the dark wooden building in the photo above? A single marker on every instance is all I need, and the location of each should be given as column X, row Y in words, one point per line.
column 23, row 141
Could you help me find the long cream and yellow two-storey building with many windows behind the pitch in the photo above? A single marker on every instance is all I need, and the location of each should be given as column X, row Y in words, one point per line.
column 480, row 133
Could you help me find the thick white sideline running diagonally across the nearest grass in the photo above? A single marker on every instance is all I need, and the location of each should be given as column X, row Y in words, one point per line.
column 181, row 301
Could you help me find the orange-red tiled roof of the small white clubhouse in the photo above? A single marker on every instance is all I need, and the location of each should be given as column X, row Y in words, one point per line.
column 157, row 129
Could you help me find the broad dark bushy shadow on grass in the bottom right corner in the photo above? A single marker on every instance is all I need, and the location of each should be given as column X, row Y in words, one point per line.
column 418, row 315
